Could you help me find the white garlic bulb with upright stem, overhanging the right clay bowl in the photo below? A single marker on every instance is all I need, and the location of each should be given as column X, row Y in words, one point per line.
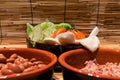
column 91, row 42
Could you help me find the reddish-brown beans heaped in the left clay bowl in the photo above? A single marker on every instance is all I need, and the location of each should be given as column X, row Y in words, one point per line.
column 17, row 64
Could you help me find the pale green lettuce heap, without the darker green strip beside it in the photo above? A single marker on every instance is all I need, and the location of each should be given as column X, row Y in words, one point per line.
column 40, row 31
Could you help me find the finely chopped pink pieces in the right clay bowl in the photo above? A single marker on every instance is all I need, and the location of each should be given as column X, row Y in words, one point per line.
column 107, row 69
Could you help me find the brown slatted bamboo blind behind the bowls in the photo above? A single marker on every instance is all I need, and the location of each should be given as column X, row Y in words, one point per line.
column 82, row 14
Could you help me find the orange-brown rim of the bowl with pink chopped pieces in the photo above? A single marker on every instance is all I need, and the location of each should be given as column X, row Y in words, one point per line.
column 61, row 60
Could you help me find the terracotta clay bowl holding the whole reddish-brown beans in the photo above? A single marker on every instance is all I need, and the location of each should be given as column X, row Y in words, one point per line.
column 43, row 73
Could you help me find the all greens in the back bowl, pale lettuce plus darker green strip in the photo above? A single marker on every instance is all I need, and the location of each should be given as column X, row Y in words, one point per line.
column 40, row 31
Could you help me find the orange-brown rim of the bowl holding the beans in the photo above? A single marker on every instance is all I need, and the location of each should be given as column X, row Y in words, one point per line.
column 53, row 58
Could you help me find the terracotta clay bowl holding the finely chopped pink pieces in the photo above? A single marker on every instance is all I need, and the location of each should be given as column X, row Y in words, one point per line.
column 74, row 60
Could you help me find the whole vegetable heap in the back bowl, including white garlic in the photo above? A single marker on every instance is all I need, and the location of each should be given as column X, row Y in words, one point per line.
column 62, row 34
